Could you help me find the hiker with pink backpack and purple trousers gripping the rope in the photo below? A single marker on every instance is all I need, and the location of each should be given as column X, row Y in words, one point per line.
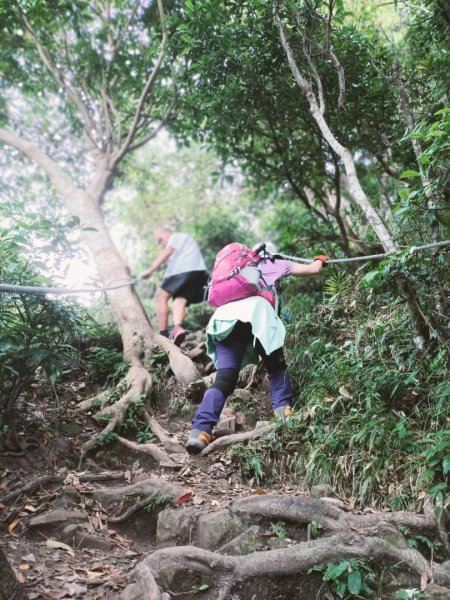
column 244, row 327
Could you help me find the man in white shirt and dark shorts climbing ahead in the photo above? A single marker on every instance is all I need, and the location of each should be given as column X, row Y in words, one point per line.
column 184, row 280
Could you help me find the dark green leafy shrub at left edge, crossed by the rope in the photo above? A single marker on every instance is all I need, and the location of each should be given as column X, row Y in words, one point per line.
column 36, row 332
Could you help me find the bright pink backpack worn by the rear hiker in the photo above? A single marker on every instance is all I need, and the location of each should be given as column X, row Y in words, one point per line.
column 235, row 275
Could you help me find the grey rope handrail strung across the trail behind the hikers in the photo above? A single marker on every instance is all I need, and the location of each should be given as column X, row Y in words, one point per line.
column 20, row 289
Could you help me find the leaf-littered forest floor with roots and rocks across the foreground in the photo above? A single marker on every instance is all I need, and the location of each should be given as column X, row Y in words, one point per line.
column 81, row 533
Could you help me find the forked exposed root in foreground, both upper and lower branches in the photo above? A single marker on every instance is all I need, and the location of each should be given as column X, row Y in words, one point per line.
column 374, row 537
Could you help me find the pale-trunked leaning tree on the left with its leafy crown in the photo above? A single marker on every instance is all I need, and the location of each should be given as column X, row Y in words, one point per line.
column 83, row 85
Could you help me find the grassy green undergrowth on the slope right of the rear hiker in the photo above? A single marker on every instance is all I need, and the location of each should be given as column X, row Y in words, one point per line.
column 372, row 409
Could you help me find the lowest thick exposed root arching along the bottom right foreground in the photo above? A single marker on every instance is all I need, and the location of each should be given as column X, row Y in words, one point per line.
column 226, row 571
